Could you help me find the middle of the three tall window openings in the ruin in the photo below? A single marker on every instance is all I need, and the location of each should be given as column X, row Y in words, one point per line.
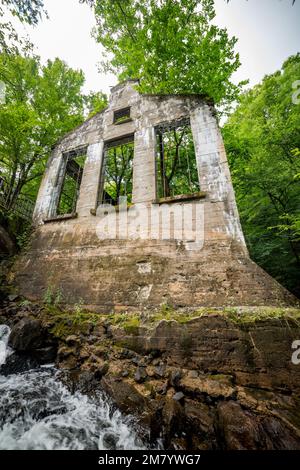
column 116, row 176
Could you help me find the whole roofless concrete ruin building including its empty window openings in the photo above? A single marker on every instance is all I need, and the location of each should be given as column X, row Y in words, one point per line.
column 136, row 209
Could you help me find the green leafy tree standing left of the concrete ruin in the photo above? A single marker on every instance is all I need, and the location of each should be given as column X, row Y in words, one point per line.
column 41, row 104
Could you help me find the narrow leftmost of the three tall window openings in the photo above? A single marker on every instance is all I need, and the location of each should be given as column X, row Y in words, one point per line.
column 73, row 169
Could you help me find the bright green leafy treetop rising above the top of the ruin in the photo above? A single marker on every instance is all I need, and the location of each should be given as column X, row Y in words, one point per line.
column 171, row 45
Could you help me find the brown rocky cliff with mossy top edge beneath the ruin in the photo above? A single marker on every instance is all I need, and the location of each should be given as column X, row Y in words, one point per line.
column 206, row 379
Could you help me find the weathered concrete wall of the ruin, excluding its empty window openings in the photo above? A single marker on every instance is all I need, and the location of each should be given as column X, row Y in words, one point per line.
column 145, row 271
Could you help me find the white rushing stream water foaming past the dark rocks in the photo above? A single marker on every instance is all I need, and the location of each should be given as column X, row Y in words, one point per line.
column 38, row 412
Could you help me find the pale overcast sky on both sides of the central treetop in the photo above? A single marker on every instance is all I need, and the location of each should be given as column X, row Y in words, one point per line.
column 268, row 31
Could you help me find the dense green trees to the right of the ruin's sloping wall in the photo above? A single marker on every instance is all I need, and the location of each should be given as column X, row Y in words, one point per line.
column 262, row 139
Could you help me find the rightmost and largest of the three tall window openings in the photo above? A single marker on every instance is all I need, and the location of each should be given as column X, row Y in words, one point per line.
column 176, row 167
